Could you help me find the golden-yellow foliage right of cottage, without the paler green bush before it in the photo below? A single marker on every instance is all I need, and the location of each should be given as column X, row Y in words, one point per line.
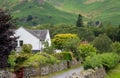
column 60, row 39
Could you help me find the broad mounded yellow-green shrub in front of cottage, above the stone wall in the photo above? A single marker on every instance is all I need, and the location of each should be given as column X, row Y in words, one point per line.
column 40, row 59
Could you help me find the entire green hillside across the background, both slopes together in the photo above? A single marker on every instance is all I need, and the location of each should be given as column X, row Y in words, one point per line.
column 33, row 12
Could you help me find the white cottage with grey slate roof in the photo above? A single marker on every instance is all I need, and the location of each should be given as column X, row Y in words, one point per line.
column 34, row 37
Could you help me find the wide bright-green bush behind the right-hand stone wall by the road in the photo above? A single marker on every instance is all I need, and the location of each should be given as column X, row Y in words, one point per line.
column 107, row 60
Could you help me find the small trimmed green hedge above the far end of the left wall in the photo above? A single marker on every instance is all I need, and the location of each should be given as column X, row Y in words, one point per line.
column 64, row 56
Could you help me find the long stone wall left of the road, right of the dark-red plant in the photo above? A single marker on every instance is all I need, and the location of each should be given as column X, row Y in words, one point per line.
column 48, row 69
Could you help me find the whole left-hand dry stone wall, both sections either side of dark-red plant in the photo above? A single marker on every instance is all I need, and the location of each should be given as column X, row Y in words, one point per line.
column 31, row 71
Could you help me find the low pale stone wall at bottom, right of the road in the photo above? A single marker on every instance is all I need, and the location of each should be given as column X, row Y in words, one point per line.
column 97, row 73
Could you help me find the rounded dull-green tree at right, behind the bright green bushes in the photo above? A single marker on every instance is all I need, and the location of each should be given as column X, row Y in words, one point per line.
column 102, row 43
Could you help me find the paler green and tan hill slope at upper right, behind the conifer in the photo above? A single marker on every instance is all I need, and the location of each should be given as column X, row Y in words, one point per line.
column 108, row 11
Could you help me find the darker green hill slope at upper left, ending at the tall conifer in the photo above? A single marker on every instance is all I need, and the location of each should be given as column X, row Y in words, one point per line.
column 35, row 12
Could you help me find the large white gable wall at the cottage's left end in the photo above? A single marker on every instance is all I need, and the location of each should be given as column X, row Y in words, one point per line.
column 28, row 38
